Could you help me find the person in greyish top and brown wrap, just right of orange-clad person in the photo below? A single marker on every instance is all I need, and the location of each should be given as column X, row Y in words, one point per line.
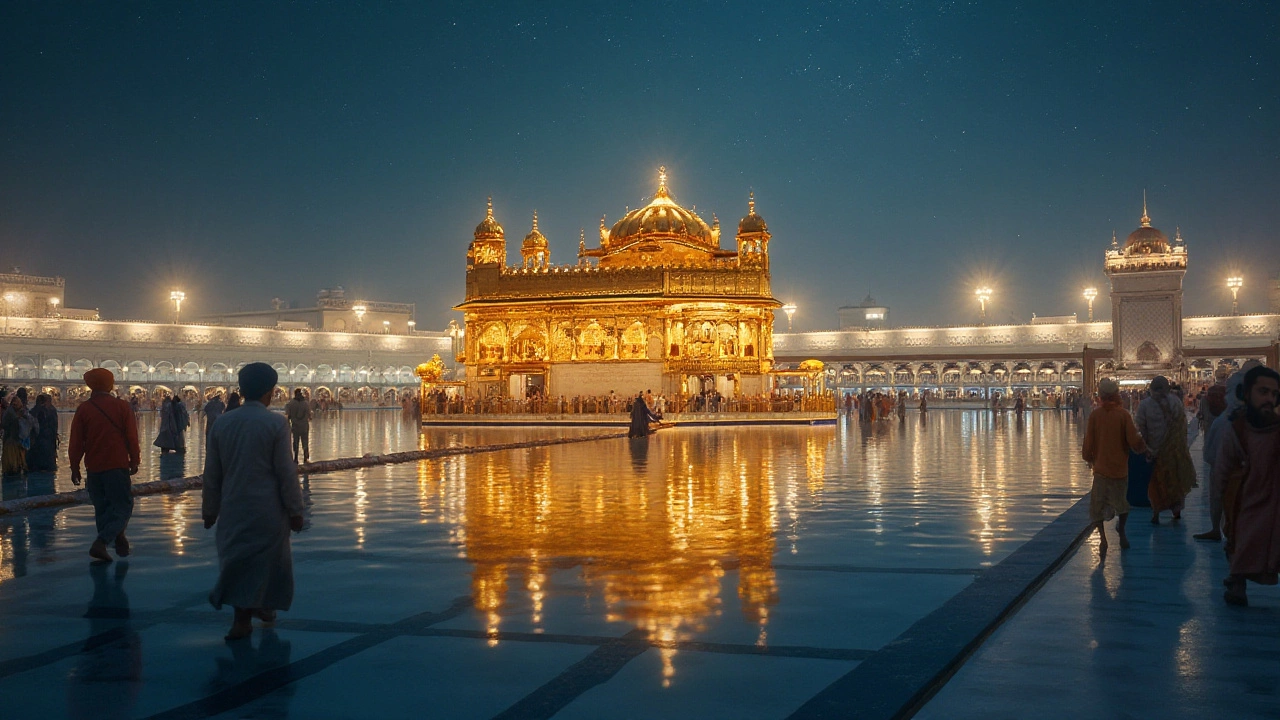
column 1163, row 422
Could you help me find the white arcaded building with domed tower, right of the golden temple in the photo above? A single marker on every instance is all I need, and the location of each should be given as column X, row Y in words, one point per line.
column 1146, row 336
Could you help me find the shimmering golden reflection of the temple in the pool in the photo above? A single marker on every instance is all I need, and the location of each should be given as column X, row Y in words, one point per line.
column 653, row 534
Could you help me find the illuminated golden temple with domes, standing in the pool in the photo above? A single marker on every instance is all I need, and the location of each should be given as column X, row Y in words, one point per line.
column 659, row 306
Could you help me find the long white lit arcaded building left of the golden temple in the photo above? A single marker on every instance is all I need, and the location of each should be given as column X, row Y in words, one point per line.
column 47, row 350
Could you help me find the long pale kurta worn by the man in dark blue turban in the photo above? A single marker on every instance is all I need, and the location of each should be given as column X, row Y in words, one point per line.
column 252, row 486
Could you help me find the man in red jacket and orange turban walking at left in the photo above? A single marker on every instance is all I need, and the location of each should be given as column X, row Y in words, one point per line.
column 106, row 436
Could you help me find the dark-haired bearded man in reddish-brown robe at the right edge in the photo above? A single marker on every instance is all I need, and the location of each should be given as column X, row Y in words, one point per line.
column 1249, row 466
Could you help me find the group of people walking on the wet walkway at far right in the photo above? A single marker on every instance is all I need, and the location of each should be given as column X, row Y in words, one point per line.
column 1142, row 459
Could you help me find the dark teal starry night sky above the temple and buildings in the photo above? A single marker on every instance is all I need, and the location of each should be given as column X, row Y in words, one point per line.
column 911, row 151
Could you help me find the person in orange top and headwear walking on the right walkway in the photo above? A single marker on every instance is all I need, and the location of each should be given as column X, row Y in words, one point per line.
column 1109, row 438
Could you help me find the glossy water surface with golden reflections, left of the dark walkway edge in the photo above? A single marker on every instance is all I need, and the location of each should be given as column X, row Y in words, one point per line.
column 701, row 573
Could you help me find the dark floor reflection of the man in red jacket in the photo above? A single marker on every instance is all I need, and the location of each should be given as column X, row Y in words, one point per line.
column 108, row 676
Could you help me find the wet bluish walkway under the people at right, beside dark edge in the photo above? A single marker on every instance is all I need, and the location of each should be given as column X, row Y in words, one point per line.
column 1141, row 634
